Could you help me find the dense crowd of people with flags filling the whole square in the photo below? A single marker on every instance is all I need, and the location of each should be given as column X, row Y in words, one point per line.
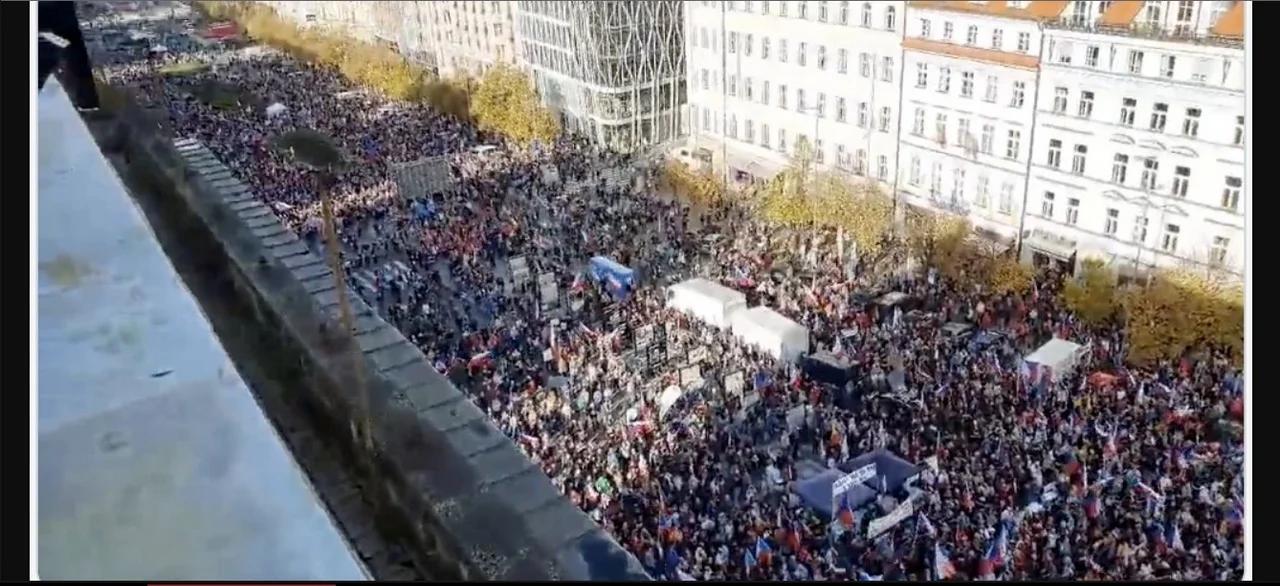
column 1136, row 480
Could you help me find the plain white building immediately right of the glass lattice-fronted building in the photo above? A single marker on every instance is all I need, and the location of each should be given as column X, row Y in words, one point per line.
column 765, row 75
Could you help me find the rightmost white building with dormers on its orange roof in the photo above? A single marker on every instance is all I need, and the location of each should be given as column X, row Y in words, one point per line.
column 1140, row 139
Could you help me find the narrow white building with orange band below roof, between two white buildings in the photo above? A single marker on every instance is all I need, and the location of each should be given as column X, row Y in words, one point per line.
column 970, row 97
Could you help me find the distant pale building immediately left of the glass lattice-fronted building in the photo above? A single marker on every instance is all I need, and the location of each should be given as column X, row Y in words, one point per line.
column 472, row 36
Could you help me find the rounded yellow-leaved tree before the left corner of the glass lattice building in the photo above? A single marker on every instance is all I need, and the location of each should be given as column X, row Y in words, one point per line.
column 506, row 103
